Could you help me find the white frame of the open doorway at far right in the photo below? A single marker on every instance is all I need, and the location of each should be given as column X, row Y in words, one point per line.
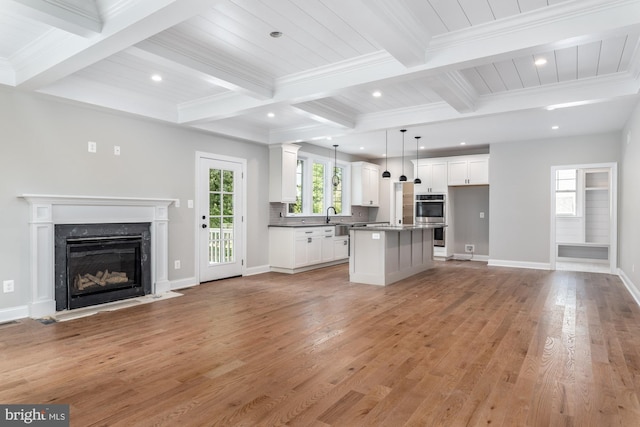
column 613, row 226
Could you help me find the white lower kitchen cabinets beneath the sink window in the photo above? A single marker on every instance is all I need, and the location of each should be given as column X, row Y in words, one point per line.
column 294, row 249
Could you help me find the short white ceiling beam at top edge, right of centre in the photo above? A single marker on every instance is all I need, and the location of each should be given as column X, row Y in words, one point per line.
column 395, row 29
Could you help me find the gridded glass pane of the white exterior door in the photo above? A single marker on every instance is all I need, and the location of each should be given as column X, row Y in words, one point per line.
column 221, row 214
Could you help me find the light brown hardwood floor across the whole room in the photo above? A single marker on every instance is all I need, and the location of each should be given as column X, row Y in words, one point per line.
column 462, row 344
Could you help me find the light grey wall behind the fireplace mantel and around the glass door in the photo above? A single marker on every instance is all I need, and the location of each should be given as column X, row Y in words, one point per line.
column 43, row 150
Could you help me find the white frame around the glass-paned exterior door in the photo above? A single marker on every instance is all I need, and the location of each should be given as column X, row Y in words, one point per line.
column 198, row 201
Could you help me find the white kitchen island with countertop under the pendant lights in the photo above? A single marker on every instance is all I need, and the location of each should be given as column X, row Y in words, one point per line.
column 381, row 255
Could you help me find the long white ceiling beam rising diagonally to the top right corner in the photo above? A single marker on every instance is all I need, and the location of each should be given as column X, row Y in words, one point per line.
column 534, row 32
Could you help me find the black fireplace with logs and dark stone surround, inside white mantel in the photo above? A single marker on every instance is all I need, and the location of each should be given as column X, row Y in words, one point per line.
column 100, row 263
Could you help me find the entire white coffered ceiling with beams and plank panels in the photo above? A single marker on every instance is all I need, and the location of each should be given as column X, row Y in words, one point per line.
column 450, row 71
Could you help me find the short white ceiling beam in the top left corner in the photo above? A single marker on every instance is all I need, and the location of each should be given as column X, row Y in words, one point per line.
column 78, row 17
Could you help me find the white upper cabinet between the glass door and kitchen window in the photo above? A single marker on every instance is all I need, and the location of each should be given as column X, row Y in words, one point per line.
column 283, row 163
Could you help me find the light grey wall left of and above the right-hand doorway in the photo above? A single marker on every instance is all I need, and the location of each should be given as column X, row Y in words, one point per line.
column 519, row 178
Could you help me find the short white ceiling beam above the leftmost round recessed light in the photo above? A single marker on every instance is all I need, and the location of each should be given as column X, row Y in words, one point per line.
column 222, row 69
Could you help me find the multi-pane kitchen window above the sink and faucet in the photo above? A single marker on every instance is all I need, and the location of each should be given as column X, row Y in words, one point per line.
column 315, row 191
